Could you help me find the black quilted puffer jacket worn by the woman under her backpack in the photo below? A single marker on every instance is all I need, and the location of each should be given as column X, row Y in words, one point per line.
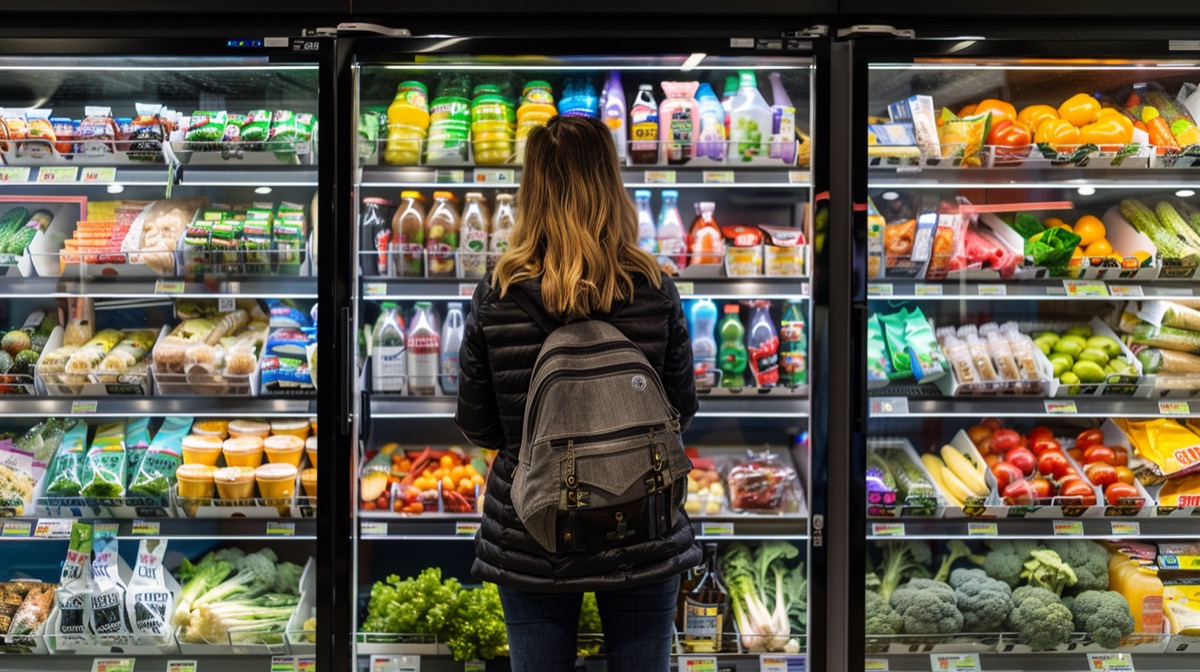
column 500, row 347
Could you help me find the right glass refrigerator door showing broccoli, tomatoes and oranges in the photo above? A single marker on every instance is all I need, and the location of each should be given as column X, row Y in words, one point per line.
column 1031, row 253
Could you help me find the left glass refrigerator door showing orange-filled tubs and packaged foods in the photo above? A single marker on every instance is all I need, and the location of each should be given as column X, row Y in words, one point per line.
column 159, row 309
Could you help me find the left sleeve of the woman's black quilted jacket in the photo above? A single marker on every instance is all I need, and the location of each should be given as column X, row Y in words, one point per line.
column 479, row 415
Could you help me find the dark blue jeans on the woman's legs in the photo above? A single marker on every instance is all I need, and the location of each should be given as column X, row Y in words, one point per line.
column 638, row 628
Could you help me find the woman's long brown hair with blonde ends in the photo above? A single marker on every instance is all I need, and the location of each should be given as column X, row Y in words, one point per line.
column 577, row 226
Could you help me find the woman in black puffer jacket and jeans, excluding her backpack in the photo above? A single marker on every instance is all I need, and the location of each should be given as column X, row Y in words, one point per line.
column 573, row 253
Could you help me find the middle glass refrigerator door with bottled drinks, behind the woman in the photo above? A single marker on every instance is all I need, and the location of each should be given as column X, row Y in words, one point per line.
column 441, row 146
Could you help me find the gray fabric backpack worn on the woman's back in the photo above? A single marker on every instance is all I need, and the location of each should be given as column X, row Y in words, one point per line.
column 602, row 464
